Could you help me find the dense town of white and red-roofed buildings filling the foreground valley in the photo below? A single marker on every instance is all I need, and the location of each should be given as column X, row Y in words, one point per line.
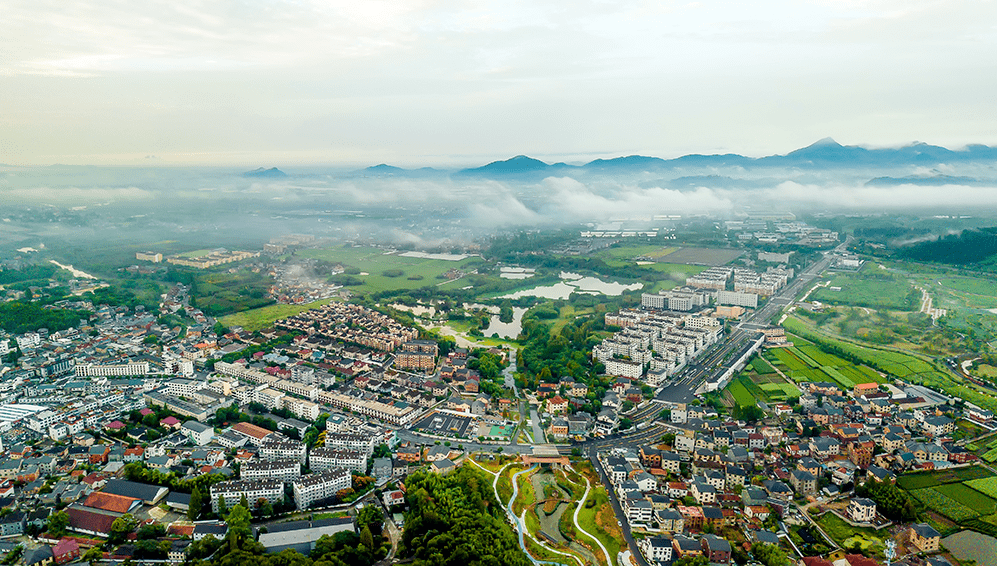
column 715, row 421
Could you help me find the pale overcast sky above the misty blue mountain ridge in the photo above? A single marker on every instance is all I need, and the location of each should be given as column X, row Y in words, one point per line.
column 415, row 83
